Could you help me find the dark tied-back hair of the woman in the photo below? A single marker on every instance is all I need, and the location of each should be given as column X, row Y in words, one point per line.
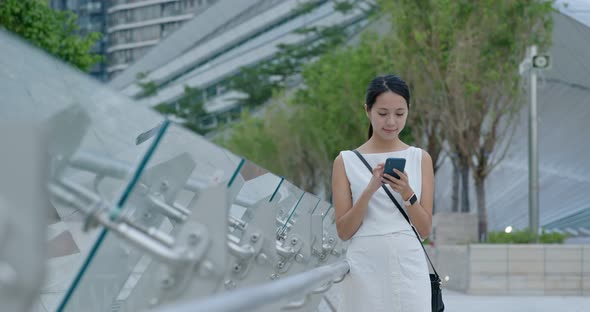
column 382, row 84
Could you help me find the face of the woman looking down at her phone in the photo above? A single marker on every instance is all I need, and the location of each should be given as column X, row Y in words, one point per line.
column 388, row 115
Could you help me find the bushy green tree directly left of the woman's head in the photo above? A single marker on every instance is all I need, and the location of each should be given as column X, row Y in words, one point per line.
column 301, row 133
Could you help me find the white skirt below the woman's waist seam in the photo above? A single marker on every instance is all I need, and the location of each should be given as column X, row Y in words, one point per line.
column 387, row 273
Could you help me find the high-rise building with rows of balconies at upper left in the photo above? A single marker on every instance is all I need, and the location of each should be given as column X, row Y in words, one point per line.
column 129, row 27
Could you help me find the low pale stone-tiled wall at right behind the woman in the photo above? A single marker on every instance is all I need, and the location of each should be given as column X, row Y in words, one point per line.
column 487, row 269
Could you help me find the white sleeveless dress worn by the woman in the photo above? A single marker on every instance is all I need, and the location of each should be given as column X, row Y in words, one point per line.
column 388, row 269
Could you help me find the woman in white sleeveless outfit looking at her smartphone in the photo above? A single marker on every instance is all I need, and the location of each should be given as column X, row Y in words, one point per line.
column 388, row 270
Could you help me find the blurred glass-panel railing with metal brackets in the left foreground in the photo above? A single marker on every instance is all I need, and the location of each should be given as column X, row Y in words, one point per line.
column 142, row 212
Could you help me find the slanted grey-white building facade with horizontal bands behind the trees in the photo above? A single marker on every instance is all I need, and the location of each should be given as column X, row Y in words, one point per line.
column 225, row 38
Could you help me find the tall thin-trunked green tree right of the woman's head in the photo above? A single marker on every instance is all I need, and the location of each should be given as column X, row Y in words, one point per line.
column 467, row 53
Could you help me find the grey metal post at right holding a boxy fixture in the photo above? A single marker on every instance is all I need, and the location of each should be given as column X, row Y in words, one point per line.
column 533, row 152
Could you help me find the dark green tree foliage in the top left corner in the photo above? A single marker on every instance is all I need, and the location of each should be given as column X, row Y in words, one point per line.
column 52, row 31
